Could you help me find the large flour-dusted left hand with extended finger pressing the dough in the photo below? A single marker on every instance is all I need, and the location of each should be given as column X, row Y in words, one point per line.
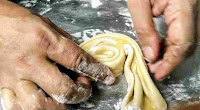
column 29, row 47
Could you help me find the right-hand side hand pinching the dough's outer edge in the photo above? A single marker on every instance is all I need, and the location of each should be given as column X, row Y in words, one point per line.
column 180, row 19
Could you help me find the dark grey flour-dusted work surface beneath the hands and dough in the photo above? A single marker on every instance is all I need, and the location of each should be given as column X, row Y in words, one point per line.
column 86, row 18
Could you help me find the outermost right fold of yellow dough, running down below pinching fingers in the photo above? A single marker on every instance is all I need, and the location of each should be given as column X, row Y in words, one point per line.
column 149, row 87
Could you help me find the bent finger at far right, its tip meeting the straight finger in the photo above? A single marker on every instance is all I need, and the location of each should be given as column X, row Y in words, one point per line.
column 180, row 39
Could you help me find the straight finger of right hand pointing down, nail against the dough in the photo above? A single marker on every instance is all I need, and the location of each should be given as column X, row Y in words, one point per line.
column 143, row 24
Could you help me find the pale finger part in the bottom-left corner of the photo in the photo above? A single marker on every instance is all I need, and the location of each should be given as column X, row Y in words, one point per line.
column 9, row 100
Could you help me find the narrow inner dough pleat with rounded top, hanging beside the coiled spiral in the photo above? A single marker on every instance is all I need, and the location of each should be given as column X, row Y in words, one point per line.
column 133, row 82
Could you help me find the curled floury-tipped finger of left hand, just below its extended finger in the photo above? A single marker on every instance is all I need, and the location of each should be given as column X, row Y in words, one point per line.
column 58, row 85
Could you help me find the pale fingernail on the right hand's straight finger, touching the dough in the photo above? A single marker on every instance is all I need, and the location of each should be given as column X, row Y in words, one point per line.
column 148, row 53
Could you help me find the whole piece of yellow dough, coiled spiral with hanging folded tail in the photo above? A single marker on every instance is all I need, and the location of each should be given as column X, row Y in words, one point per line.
column 122, row 54
